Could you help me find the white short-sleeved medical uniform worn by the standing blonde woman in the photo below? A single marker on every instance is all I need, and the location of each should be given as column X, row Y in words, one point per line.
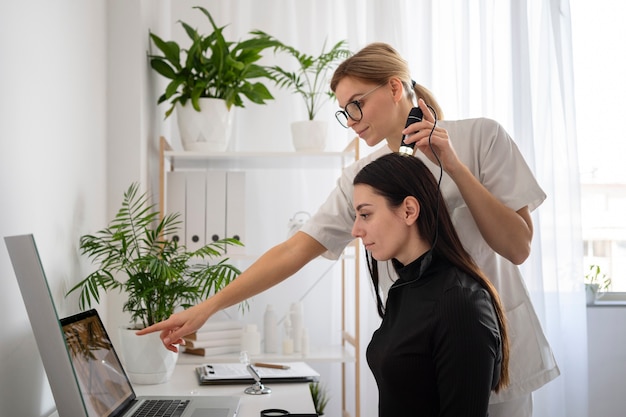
column 491, row 155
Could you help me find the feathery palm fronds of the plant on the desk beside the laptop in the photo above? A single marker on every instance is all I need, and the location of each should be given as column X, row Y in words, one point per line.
column 161, row 274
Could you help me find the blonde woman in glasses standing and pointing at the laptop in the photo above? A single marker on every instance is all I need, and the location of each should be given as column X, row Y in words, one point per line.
column 489, row 192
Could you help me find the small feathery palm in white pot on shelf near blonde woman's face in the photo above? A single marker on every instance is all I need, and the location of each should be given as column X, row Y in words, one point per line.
column 310, row 80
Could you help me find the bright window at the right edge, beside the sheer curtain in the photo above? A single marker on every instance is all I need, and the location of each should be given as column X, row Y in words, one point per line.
column 598, row 33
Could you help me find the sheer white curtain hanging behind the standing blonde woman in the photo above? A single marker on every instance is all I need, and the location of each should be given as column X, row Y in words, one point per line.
column 505, row 59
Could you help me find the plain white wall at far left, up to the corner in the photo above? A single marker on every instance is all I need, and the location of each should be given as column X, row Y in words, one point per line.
column 52, row 165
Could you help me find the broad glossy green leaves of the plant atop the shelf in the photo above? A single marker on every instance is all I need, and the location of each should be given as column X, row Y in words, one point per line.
column 212, row 67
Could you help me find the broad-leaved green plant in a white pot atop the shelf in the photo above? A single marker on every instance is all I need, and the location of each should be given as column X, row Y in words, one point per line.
column 209, row 78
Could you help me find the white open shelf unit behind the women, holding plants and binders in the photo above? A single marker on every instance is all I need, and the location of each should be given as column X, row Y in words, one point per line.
column 349, row 350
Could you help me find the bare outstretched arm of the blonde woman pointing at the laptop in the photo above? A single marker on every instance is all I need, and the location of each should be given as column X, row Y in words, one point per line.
column 276, row 265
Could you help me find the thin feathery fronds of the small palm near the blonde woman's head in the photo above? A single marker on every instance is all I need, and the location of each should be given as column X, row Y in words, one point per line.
column 311, row 78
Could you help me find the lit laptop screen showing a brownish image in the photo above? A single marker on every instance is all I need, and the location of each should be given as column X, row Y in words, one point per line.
column 104, row 385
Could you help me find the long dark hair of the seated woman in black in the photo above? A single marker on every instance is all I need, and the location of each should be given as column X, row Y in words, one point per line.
column 395, row 177
